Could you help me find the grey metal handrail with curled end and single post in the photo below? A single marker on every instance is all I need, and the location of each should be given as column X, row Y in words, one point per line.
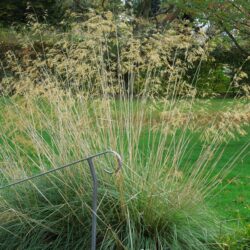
column 94, row 179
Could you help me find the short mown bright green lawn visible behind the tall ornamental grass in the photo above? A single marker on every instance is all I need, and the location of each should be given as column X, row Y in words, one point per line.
column 232, row 199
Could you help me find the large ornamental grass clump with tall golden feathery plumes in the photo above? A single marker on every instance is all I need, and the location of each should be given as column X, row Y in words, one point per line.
column 159, row 199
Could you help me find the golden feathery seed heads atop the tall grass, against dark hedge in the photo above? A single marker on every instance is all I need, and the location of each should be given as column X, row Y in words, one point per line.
column 101, row 54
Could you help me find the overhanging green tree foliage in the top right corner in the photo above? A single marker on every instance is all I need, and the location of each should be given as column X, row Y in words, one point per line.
column 230, row 17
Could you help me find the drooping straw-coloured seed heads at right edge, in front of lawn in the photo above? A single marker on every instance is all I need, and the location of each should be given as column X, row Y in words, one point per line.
column 225, row 125
